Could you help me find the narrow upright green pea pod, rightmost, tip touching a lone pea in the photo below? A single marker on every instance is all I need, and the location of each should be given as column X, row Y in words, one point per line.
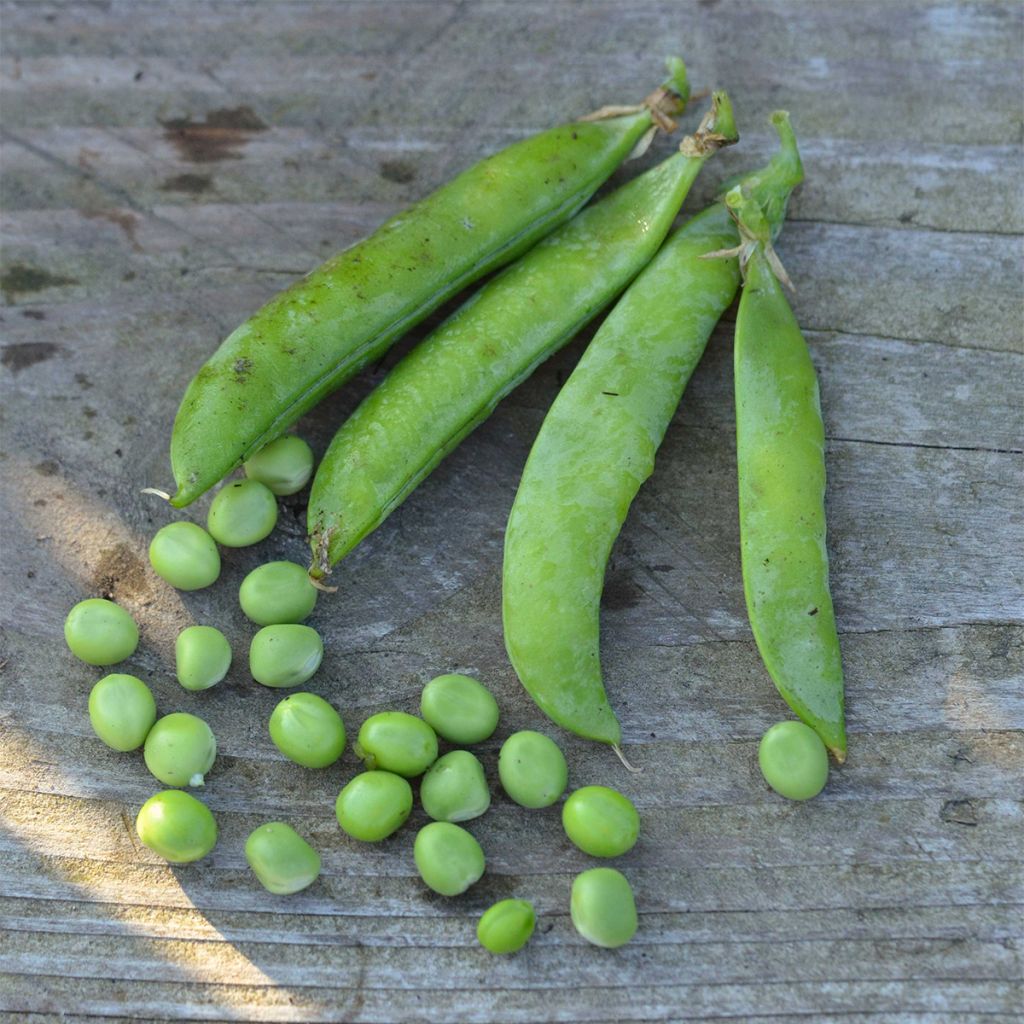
column 782, row 473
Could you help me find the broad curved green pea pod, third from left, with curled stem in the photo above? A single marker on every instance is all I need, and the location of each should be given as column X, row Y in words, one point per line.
column 598, row 446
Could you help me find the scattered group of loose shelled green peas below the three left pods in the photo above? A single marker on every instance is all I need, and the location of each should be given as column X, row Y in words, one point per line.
column 180, row 749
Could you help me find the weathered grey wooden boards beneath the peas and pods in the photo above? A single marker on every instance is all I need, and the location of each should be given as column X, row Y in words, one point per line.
column 167, row 167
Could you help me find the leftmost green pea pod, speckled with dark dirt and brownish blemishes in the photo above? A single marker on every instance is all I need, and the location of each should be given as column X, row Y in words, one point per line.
column 313, row 337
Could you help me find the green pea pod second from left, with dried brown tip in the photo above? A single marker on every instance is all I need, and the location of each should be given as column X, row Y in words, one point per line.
column 456, row 377
